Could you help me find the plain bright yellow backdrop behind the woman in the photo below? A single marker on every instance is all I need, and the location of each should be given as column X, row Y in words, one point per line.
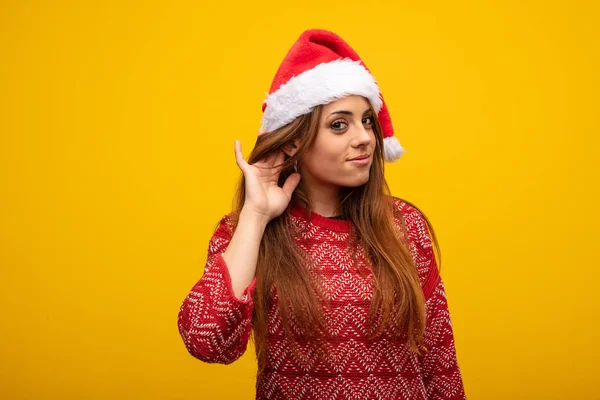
column 117, row 127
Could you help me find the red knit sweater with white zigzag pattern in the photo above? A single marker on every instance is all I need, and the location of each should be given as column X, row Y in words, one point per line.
column 215, row 325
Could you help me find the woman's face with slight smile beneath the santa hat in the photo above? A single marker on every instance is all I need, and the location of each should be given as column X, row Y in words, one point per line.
column 345, row 133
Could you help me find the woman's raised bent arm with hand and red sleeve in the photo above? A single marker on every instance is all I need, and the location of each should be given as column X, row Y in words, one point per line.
column 215, row 318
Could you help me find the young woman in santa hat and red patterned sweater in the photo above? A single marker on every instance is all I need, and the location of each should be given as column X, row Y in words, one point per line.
column 335, row 278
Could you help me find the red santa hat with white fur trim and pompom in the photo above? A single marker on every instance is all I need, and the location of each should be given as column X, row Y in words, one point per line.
column 320, row 68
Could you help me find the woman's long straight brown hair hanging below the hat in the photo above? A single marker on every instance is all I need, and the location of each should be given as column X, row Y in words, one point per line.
column 280, row 265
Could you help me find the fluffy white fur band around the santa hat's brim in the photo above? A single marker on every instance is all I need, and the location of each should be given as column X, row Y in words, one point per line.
column 322, row 84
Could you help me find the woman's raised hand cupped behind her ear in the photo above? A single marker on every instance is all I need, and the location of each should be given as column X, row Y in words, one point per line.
column 264, row 198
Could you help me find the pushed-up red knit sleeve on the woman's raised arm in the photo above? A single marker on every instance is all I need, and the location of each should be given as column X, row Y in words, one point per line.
column 213, row 322
